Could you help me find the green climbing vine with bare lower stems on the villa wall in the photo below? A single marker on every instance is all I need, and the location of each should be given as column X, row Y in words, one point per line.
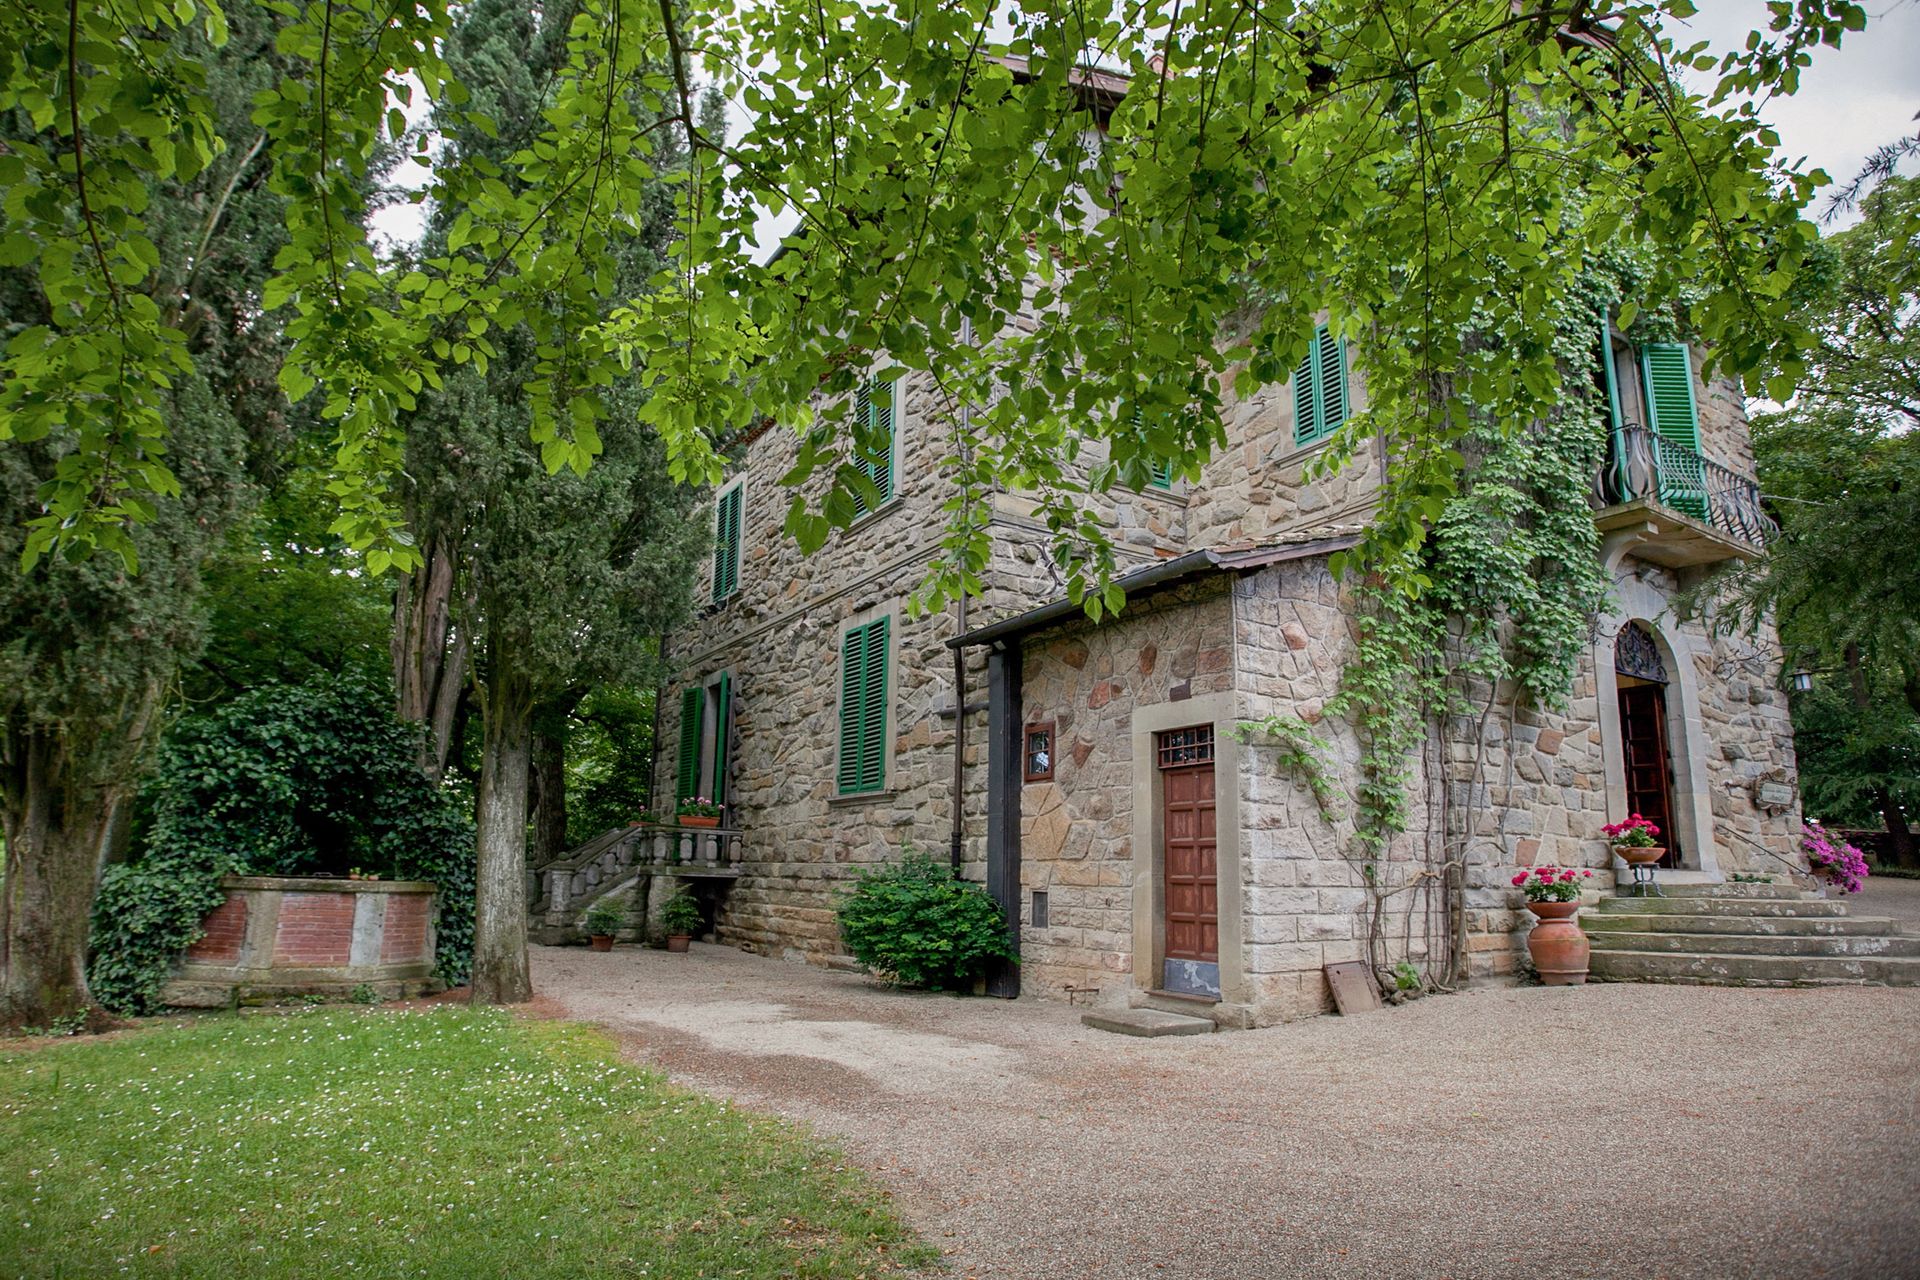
column 1489, row 611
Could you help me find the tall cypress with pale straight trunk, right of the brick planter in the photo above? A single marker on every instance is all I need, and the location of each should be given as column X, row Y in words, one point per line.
column 558, row 581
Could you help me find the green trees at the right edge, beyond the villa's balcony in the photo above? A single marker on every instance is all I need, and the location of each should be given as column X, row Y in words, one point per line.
column 1842, row 469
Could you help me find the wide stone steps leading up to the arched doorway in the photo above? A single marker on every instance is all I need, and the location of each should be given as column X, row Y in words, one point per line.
column 1746, row 936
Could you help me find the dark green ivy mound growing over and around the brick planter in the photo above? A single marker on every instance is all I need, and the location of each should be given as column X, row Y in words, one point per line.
column 289, row 780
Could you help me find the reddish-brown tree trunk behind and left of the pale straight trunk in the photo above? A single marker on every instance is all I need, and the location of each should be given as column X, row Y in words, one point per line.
column 429, row 655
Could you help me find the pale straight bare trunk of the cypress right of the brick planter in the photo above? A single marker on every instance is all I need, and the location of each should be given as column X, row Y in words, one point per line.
column 500, row 878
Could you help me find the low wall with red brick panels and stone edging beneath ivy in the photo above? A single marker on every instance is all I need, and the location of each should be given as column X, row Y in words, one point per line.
column 293, row 937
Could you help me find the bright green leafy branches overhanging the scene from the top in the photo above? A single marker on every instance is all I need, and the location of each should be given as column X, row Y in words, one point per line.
column 1404, row 168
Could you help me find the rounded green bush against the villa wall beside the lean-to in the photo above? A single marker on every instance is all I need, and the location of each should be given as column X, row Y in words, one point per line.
column 917, row 926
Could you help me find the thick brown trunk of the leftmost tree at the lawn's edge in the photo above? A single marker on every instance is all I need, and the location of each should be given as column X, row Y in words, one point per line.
column 55, row 836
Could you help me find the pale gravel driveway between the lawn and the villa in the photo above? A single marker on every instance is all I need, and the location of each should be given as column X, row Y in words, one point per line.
column 1591, row 1131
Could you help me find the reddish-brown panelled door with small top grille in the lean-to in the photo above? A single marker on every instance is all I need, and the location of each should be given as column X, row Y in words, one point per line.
column 1191, row 872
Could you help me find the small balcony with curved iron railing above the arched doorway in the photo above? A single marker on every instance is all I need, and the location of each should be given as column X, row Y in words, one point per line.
column 1679, row 508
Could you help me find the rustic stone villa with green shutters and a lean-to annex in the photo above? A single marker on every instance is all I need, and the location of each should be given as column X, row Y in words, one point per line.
column 1092, row 774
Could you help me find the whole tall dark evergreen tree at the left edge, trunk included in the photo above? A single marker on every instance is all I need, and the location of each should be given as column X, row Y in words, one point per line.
column 93, row 650
